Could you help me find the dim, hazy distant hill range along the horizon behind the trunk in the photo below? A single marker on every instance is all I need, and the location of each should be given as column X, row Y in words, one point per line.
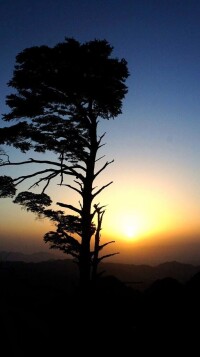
column 136, row 276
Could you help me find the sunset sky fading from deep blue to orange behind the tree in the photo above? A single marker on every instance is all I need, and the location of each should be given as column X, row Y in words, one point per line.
column 153, row 205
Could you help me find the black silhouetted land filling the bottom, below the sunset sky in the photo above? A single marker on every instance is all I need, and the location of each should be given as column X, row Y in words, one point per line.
column 42, row 310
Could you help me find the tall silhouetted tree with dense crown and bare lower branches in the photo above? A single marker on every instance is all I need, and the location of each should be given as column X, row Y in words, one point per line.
column 60, row 94
